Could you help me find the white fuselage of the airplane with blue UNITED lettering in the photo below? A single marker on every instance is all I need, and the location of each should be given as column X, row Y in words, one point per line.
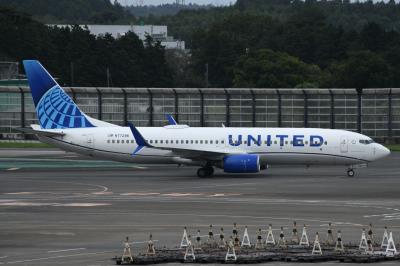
column 273, row 145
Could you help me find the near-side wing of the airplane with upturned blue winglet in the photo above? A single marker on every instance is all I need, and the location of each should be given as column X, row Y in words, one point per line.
column 209, row 154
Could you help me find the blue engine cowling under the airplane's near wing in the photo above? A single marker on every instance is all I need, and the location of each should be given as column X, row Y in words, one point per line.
column 242, row 163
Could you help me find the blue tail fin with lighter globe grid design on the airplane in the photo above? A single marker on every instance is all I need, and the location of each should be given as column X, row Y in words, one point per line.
column 54, row 108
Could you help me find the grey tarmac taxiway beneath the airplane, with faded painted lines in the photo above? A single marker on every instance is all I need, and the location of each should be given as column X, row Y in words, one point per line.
column 59, row 208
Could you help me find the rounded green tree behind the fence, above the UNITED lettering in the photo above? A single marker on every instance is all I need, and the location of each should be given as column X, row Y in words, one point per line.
column 268, row 69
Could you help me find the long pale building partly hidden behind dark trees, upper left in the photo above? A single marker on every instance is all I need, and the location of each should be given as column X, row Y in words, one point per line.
column 157, row 32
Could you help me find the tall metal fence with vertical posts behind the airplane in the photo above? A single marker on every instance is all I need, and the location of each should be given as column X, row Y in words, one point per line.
column 373, row 112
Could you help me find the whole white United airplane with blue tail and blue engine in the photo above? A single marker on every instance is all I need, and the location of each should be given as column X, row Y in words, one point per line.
column 234, row 150
